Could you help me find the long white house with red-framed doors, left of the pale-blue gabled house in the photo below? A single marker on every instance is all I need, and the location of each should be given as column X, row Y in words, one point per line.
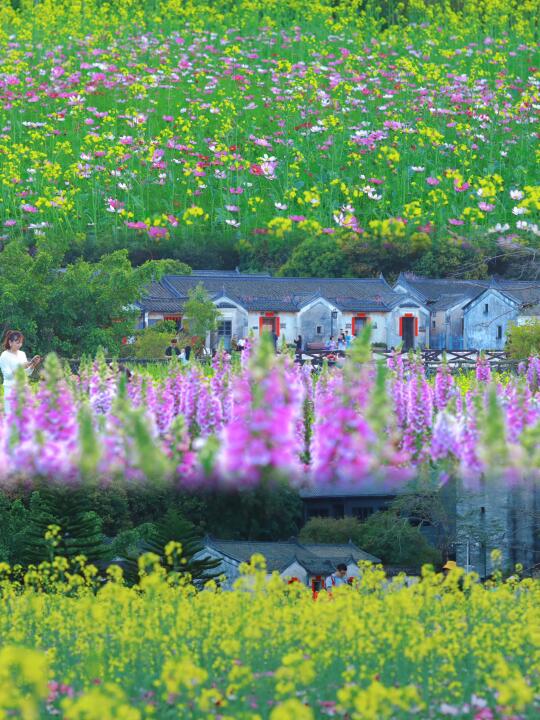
column 315, row 308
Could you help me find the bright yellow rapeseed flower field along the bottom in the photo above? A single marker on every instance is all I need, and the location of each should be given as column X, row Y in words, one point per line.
column 267, row 650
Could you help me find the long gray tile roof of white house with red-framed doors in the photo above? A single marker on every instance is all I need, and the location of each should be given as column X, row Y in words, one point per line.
column 263, row 292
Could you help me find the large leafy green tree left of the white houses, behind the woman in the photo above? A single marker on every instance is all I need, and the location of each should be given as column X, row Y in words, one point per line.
column 75, row 309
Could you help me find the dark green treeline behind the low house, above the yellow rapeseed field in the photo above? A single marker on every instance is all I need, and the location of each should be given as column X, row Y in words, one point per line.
column 118, row 524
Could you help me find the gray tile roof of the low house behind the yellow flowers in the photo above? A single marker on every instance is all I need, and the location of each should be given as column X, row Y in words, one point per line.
column 316, row 558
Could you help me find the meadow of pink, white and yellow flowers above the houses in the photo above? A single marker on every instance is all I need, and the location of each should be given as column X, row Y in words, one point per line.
column 167, row 127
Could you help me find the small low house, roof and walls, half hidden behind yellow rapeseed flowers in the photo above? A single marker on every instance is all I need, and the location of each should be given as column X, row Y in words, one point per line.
column 309, row 563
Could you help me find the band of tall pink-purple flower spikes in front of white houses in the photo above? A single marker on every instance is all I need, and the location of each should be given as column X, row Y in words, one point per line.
column 270, row 418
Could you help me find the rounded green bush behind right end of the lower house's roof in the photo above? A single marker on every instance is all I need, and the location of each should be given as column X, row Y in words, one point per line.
column 387, row 535
